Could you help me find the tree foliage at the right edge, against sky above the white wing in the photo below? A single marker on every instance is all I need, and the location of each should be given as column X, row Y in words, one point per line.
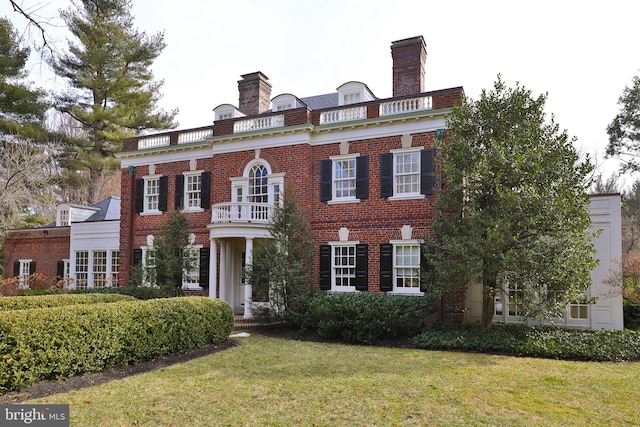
column 624, row 130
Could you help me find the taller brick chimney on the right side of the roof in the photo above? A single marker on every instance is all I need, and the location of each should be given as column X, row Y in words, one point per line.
column 409, row 57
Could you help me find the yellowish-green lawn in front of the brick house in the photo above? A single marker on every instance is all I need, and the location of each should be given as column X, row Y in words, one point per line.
column 270, row 381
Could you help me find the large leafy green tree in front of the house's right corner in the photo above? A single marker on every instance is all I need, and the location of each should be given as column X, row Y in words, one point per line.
column 514, row 209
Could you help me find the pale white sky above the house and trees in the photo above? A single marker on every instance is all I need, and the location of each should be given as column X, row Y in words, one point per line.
column 582, row 53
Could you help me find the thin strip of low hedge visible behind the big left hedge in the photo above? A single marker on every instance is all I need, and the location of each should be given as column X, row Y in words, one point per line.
column 58, row 300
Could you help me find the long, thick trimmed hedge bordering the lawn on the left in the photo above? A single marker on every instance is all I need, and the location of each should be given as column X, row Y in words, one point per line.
column 58, row 342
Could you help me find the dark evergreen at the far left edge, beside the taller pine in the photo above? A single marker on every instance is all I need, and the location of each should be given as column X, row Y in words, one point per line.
column 22, row 107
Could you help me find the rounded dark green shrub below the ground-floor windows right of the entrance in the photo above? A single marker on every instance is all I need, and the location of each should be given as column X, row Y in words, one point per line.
column 363, row 317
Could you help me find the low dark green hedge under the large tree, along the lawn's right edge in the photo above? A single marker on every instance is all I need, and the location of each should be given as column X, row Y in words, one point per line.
column 548, row 342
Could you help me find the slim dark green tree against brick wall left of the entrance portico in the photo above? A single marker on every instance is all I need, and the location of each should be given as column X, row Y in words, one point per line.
column 172, row 258
